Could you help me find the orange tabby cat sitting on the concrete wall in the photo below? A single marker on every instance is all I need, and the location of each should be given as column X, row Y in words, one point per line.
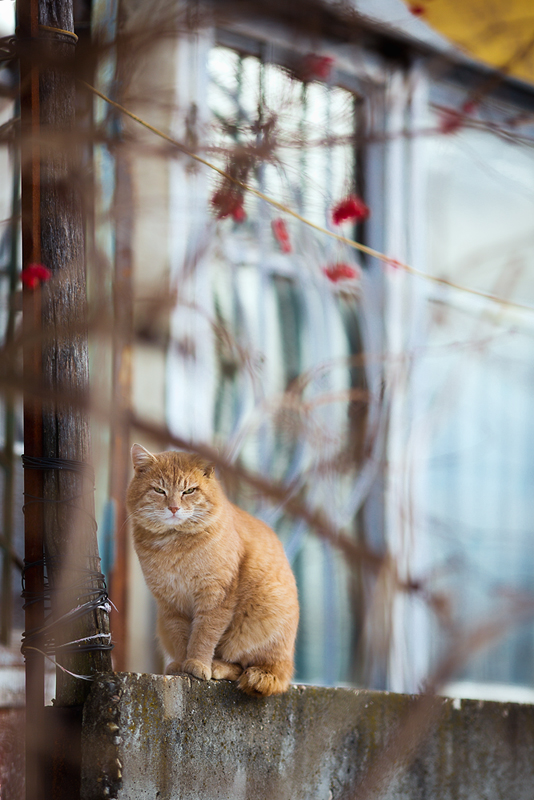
column 227, row 599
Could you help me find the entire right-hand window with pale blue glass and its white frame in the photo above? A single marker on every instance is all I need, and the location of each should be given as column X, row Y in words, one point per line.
column 462, row 439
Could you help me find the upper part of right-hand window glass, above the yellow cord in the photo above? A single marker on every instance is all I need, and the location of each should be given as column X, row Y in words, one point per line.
column 481, row 192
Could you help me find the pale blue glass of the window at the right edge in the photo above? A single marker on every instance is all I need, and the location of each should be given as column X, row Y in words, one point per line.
column 473, row 379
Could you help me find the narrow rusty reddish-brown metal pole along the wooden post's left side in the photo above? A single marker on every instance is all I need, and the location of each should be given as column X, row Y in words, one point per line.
column 28, row 18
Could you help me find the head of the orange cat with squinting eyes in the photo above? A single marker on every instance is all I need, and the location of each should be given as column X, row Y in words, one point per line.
column 170, row 492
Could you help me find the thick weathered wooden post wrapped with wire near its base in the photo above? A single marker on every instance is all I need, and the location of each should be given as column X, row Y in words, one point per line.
column 70, row 529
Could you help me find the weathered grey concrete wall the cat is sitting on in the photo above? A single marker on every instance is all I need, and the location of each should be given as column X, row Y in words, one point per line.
column 149, row 737
